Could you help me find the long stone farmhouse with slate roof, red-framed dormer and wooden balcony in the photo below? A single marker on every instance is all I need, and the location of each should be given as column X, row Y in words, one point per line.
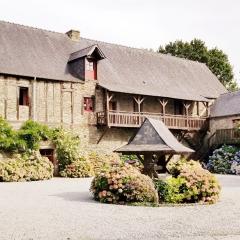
column 101, row 91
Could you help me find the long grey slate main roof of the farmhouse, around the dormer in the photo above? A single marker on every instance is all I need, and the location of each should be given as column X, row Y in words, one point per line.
column 28, row 51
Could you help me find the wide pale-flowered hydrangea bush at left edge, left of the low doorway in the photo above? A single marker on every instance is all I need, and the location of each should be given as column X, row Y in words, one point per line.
column 26, row 168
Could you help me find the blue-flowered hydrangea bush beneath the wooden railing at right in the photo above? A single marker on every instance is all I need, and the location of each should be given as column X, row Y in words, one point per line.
column 222, row 159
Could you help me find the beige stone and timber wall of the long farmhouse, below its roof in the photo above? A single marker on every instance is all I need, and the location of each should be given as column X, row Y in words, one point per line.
column 58, row 103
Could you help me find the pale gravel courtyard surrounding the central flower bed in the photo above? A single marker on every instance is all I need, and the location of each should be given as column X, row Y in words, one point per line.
column 63, row 209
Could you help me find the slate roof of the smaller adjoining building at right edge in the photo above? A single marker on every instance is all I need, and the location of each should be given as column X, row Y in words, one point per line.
column 227, row 104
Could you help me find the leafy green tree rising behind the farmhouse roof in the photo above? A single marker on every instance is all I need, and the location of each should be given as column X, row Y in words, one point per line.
column 215, row 59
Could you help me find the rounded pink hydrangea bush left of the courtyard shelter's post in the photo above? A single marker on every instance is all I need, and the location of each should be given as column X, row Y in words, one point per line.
column 123, row 184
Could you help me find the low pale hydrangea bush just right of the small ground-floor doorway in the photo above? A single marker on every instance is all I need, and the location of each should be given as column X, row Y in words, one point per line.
column 77, row 169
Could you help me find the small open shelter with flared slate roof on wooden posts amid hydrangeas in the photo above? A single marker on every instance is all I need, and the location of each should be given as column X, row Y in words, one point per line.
column 154, row 141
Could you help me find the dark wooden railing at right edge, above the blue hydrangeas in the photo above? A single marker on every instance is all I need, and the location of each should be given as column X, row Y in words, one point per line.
column 225, row 136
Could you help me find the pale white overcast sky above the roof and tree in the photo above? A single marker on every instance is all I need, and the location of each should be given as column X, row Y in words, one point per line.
column 137, row 23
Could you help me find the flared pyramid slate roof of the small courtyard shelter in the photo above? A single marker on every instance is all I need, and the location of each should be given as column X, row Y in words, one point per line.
column 154, row 136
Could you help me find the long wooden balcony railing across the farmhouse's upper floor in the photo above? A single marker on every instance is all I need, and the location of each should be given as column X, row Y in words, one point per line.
column 135, row 119
